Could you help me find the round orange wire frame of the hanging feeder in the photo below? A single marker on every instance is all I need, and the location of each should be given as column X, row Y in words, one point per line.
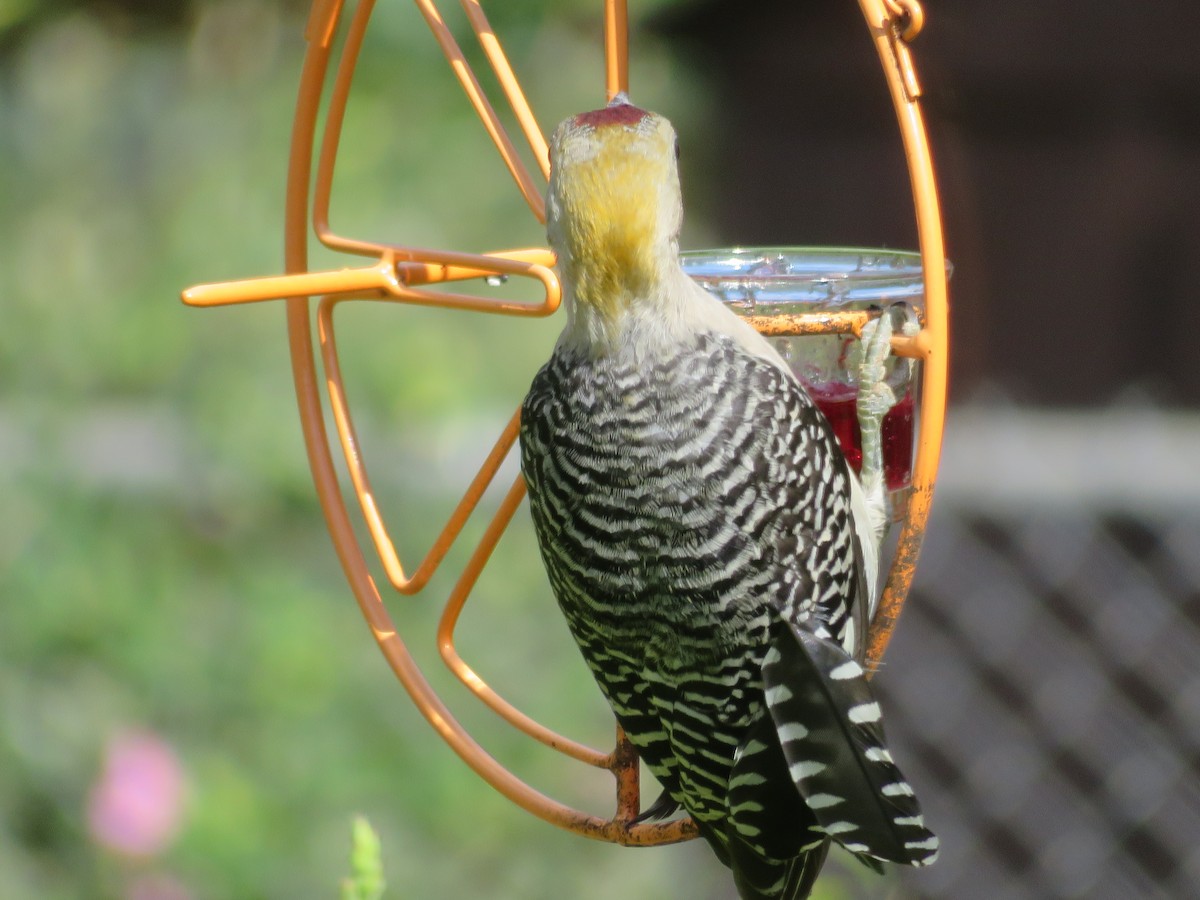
column 401, row 274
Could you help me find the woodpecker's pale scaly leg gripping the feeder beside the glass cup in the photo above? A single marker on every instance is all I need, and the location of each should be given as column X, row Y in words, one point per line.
column 875, row 399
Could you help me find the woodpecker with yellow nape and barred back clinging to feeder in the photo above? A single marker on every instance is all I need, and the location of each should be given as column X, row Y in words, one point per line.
column 711, row 550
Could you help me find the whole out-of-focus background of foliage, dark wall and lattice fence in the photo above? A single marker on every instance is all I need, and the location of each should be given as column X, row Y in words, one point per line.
column 190, row 706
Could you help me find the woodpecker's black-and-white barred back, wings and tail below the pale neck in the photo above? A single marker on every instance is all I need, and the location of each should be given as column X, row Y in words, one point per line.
column 695, row 520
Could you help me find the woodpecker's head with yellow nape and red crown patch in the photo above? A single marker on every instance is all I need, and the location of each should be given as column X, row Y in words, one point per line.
column 614, row 207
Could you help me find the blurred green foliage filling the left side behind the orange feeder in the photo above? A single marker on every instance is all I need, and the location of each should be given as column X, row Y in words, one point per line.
column 164, row 565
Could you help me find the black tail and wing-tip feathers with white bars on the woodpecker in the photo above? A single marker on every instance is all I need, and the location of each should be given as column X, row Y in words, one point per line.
column 821, row 731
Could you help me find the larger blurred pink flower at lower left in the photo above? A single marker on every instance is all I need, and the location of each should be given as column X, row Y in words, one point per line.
column 136, row 807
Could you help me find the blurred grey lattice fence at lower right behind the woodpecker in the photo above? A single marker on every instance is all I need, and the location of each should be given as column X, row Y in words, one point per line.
column 1045, row 694
